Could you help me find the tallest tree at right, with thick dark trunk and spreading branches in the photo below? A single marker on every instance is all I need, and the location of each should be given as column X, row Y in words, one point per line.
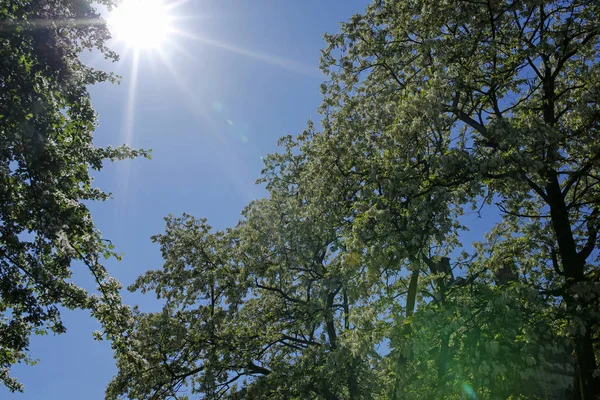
column 506, row 92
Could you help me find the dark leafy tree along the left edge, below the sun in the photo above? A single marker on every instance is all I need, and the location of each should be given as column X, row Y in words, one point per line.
column 46, row 153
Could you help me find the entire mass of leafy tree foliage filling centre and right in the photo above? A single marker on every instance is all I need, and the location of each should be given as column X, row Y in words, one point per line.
column 431, row 108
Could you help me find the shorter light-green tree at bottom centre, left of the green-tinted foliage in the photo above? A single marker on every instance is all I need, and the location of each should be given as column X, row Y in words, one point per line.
column 269, row 308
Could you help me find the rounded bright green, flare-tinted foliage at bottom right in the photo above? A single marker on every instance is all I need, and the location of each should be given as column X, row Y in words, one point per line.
column 484, row 338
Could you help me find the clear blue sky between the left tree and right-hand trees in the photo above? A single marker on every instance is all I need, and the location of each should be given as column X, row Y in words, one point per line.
column 208, row 117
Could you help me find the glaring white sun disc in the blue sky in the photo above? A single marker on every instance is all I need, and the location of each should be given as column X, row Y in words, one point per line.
column 141, row 24
